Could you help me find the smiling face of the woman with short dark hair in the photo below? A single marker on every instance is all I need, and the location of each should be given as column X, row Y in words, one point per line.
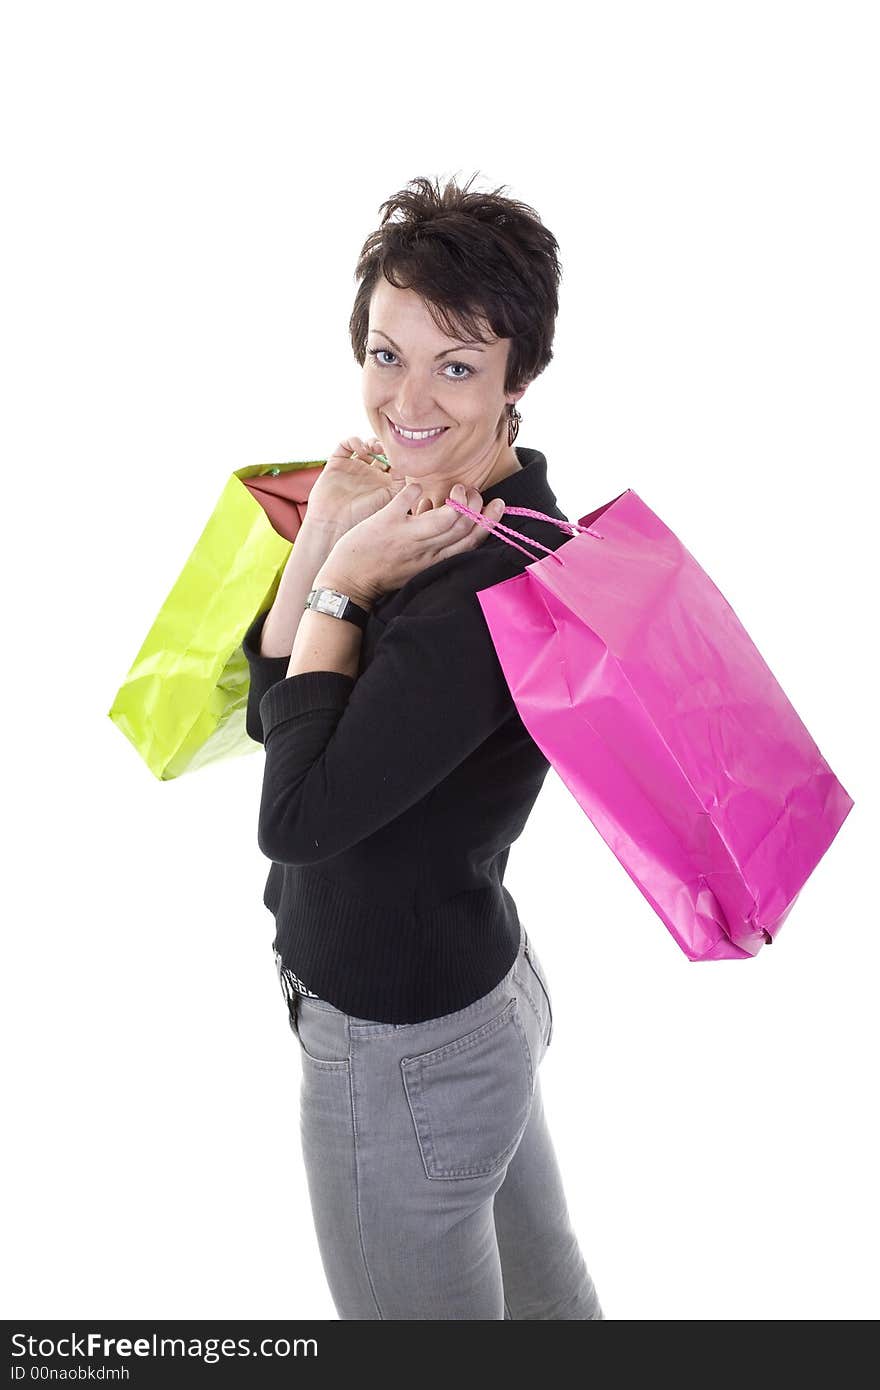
column 419, row 379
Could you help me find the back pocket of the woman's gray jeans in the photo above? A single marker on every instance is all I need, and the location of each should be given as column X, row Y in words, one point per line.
column 472, row 1097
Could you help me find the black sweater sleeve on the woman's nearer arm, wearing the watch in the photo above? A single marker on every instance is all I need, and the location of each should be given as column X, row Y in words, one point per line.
column 344, row 758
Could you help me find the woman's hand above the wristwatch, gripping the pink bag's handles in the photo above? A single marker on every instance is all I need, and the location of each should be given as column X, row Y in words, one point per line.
column 383, row 553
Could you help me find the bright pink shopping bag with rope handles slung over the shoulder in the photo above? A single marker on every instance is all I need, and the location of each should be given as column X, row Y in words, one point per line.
column 646, row 693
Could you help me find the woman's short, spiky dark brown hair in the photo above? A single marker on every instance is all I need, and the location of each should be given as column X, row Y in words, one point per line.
column 475, row 259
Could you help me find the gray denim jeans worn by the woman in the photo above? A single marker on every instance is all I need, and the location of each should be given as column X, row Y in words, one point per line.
column 434, row 1186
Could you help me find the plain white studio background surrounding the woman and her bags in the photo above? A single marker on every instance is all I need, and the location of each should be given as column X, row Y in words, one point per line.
column 187, row 193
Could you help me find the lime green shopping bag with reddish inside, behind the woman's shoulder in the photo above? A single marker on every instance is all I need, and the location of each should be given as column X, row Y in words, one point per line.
column 184, row 701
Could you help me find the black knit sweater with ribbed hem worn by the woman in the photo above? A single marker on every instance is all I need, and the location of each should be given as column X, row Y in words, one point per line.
column 390, row 803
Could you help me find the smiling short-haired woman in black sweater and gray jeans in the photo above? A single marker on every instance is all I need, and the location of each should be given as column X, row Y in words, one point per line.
column 398, row 774
